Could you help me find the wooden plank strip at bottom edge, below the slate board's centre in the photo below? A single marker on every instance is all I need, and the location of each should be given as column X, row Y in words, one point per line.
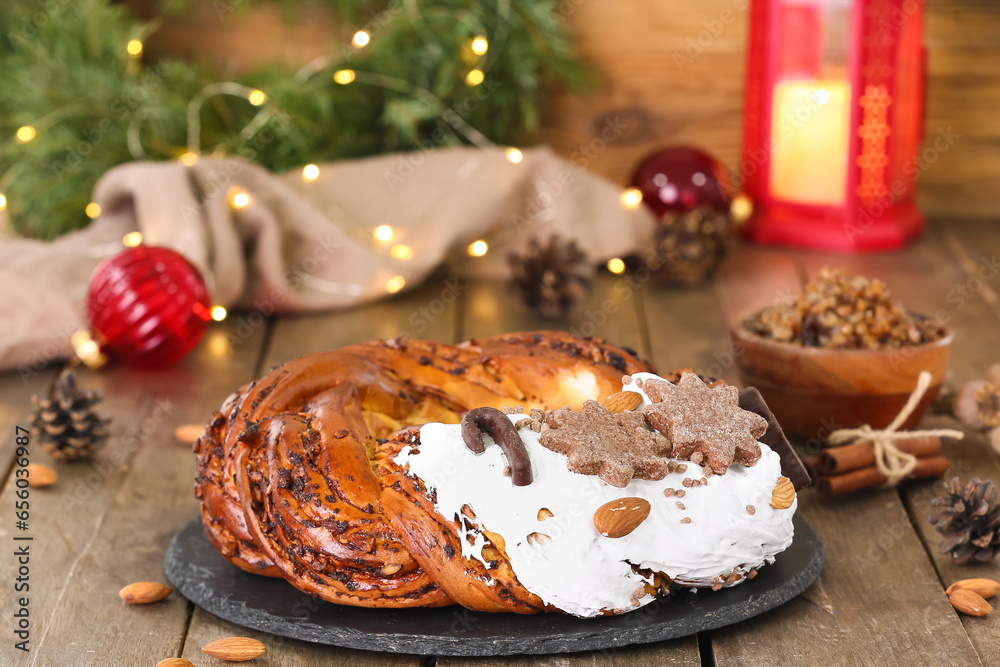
column 682, row 651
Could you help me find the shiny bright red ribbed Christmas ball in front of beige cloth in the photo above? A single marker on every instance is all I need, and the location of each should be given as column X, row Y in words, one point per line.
column 148, row 306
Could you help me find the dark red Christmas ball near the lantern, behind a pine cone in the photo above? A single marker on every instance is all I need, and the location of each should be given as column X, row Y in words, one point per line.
column 680, row 179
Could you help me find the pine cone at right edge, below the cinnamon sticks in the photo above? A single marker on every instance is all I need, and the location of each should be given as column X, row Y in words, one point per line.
column 969, row 521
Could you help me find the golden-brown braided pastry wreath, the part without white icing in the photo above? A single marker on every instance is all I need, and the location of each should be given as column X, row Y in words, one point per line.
column 298, row 475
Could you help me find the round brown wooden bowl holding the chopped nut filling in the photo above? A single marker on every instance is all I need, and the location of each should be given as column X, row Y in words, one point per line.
column 813, row 391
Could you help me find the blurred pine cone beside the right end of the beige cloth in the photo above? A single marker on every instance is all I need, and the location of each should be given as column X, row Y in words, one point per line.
column 550, row 278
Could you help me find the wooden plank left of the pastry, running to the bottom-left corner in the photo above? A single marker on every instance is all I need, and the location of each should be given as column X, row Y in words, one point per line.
column 107, row 523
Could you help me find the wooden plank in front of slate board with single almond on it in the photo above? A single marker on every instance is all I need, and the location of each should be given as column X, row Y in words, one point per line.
column 282, row 652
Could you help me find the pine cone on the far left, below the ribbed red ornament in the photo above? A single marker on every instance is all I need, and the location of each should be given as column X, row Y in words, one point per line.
column 65, row 422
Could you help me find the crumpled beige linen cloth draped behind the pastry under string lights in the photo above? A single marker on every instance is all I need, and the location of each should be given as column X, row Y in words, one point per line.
column 308, row 245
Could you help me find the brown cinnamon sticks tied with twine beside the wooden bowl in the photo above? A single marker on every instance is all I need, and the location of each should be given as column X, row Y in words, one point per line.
column 841, row 470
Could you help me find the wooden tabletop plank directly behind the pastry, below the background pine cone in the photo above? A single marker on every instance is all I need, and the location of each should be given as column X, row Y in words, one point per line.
column 610, row 311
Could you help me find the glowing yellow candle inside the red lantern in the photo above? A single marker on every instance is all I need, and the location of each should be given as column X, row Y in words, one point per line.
column 810, row 133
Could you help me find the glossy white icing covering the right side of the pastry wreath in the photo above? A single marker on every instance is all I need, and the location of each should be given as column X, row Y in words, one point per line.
column 578, row 570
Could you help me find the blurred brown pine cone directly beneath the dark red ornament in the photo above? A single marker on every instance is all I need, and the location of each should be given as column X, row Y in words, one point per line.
column 689, row 246
